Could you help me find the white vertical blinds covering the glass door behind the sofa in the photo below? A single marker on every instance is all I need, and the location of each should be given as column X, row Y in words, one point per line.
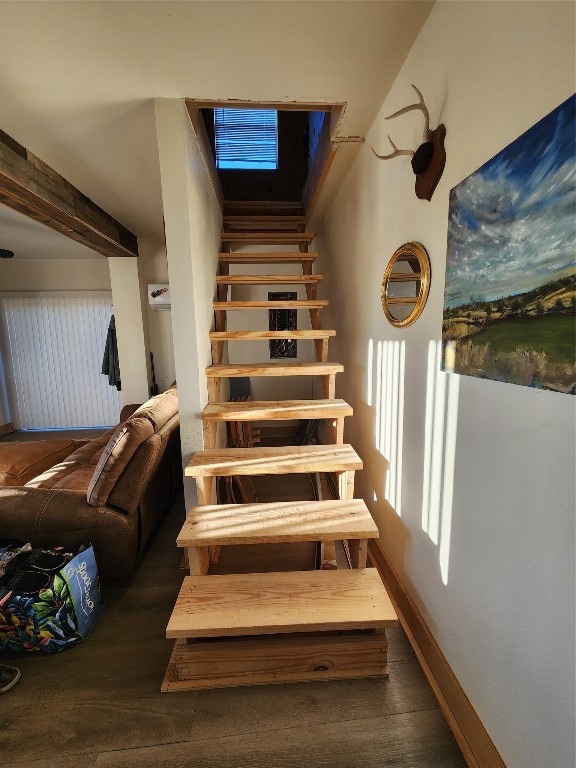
column 53, row 349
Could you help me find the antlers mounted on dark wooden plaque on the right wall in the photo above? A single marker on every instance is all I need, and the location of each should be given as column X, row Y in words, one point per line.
column 429, row 159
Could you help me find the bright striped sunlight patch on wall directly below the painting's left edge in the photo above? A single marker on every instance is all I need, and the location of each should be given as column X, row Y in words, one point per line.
column 442, row 395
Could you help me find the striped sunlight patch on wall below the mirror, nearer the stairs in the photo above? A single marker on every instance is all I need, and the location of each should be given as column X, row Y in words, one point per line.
column 388, row 373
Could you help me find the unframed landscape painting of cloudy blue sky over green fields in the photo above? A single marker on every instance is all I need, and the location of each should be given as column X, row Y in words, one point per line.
column 510, row 295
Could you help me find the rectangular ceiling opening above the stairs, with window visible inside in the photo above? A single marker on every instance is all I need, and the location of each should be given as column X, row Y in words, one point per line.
column 273, row 152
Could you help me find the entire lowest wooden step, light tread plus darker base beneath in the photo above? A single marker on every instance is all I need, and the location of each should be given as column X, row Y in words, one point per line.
column 261, row 628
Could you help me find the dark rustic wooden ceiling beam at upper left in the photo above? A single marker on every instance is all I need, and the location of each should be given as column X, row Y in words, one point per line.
column 31, row 187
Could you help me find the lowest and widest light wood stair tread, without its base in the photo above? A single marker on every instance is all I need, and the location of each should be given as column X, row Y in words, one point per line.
column 272, row 603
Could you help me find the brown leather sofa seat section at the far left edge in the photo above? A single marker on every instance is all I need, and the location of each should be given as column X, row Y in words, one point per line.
column 22, row 461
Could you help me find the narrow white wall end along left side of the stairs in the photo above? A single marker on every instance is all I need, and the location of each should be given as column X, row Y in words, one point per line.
column 193, row 222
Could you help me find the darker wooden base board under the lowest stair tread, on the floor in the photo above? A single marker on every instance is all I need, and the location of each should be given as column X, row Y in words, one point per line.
column 228, row 662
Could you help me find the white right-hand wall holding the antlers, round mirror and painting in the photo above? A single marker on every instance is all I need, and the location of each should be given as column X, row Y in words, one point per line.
column 471, row 481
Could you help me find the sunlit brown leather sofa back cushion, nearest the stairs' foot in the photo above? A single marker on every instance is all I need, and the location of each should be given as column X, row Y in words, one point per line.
column 115, row 457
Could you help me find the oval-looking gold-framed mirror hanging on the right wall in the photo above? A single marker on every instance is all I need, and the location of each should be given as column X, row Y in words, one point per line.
column 405, row 284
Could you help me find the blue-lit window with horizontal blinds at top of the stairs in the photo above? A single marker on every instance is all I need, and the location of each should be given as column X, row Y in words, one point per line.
column 246, row 139
